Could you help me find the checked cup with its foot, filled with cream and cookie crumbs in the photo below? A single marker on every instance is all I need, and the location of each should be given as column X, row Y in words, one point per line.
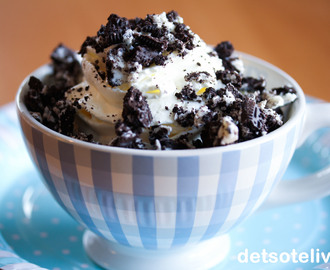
column 146, row 195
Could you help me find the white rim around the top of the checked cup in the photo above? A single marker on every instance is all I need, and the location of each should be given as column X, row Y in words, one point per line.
column 299, row 104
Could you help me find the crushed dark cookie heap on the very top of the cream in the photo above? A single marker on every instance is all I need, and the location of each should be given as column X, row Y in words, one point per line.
column 139, row 41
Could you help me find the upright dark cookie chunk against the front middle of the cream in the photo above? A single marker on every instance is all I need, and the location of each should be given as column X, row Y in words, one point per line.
column 136, row 111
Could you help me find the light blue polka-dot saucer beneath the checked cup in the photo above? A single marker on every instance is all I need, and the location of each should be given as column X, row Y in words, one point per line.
column 35, row 228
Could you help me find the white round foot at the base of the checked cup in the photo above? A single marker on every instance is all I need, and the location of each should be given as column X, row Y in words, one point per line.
column 114, row 256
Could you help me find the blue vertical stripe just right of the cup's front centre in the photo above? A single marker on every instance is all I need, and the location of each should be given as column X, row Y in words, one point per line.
column 187, row 190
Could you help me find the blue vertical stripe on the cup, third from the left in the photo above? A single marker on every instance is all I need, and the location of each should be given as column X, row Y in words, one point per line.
column 101, row 173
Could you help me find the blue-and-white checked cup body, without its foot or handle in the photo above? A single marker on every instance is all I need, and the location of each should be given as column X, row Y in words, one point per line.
column 163, row 199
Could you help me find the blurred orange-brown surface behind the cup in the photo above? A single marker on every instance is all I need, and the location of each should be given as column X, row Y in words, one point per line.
column 293, row 35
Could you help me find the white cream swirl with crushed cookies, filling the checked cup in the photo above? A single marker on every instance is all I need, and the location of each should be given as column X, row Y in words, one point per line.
column 152, row 83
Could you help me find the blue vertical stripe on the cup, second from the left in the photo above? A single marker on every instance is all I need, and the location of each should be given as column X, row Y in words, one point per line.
column 70, row 177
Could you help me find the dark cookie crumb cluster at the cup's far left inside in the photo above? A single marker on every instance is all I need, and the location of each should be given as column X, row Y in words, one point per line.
column 46, row 102
